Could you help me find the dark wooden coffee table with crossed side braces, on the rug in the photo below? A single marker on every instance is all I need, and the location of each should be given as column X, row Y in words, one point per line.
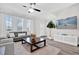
column 36, row 44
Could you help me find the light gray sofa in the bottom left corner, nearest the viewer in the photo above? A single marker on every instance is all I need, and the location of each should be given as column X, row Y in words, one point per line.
column 6, row 46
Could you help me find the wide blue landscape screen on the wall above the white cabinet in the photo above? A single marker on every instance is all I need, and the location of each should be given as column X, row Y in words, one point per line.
column 68, row 23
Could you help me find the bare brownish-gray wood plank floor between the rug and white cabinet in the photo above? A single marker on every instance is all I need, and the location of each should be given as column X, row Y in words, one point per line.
column 66, row 49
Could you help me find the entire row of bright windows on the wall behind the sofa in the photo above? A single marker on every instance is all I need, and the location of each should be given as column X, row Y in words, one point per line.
column 17, row 24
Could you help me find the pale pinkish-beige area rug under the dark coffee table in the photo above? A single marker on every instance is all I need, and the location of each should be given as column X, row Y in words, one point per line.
column 24, row 49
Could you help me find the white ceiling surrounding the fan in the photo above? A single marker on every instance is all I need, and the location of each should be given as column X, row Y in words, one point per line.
column 46, row 9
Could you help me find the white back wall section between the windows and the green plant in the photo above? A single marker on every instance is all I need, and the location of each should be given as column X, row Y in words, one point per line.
column 40, row 26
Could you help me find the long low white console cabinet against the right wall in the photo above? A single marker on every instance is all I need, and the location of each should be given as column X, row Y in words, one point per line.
column 69, row 39
